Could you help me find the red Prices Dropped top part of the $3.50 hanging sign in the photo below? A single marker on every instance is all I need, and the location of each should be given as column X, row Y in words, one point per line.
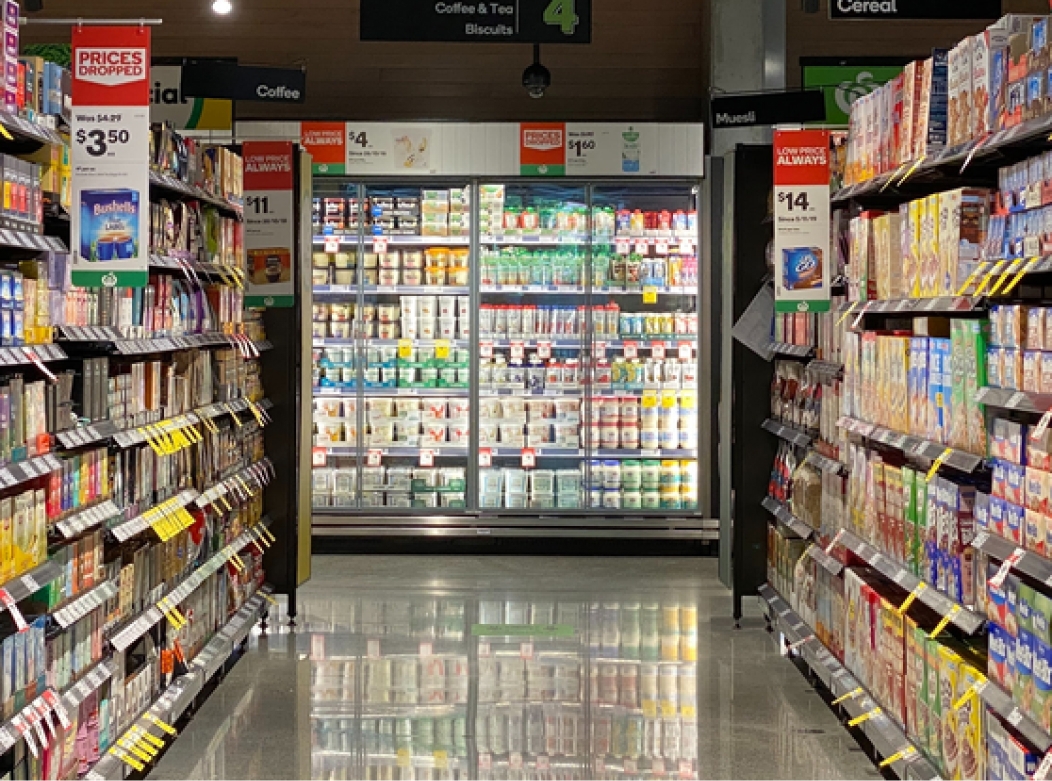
column 111, row 67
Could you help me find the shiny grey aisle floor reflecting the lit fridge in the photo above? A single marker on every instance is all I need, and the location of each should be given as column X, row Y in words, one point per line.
column 462, row 668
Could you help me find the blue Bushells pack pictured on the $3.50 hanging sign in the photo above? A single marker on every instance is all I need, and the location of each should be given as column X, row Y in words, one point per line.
column 110, row 225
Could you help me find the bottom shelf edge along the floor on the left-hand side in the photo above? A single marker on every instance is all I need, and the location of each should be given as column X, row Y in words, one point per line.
column 180, row 695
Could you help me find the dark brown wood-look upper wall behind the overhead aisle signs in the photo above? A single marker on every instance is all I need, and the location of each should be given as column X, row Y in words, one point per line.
column 646, row 62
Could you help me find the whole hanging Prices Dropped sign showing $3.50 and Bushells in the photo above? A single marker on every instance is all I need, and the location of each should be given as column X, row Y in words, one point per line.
column 110, row 135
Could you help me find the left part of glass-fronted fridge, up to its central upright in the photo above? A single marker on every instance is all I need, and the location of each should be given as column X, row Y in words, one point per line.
column 394, row 398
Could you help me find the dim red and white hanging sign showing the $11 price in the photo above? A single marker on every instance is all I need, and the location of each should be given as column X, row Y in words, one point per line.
column 270, row 228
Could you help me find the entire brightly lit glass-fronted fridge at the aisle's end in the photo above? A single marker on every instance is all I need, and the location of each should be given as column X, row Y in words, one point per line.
column 578, row 393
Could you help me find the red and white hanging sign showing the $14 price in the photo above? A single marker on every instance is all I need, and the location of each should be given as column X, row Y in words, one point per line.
column 802, row 275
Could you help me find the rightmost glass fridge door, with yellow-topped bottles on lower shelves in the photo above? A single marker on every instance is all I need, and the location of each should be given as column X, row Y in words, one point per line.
column 642, row 415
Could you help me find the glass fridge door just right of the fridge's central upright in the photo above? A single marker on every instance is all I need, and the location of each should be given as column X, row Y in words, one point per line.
column 534, row 264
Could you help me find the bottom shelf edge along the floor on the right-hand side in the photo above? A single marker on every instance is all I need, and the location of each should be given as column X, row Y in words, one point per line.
column 886, row 736
